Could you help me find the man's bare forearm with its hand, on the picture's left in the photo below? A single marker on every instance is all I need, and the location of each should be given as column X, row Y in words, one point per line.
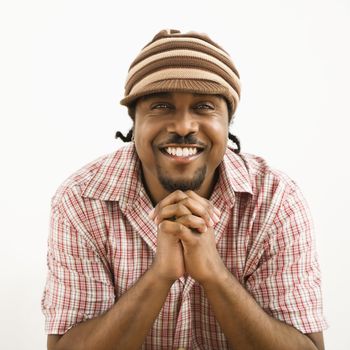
column 126, row 324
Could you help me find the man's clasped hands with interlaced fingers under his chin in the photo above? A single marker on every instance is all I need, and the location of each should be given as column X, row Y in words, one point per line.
column 185, row 239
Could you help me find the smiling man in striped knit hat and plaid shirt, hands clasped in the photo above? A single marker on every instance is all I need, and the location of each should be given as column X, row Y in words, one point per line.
column 177, row 240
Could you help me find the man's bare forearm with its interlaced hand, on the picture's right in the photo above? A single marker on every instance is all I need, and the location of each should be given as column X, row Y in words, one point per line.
column 243, row 321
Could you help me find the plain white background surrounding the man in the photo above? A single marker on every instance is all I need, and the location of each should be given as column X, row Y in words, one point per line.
column 62, row 70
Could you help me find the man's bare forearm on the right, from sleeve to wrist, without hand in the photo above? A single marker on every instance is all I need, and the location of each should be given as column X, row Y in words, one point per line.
column 246, row 325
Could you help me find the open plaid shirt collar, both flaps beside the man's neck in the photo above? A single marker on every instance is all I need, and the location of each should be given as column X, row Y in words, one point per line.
column 119, row 178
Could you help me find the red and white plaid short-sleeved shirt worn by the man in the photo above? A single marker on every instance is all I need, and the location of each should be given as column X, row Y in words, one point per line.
column 101, row 241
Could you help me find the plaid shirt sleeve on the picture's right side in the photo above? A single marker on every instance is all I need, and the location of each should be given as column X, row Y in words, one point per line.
column 287, row 281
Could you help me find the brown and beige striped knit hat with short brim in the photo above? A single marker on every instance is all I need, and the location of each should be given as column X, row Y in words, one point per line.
column 182, row 62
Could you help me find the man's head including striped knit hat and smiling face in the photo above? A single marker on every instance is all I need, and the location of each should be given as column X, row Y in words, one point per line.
column 181, row 92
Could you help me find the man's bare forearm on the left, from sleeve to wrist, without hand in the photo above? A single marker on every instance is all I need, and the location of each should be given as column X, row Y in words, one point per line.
column 125, row 325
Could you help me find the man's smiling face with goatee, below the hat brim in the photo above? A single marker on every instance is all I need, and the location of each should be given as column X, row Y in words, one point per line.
column 180, row 139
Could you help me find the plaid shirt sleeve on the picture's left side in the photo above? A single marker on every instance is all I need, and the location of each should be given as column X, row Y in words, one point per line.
column 79, row 285
